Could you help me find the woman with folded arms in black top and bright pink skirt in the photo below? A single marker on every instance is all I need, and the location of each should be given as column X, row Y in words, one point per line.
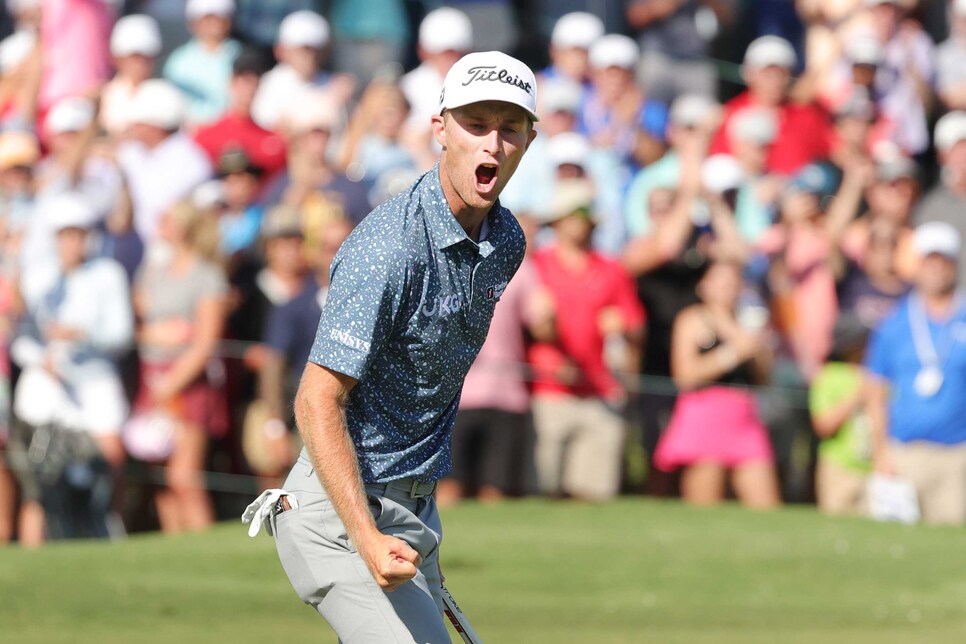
column 715, row 428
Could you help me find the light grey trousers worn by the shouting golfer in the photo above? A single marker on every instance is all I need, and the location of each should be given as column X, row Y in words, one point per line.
column 329, row 575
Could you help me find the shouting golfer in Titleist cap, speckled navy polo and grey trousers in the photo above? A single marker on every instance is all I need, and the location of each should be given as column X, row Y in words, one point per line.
column 411, row 297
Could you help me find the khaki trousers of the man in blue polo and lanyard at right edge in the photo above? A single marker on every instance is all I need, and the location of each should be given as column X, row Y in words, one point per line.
column 938, row 472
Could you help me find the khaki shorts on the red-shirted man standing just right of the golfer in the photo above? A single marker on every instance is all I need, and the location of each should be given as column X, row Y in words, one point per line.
column 580, row 444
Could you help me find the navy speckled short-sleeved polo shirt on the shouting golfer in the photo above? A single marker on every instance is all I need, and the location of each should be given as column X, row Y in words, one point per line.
column 409, row 306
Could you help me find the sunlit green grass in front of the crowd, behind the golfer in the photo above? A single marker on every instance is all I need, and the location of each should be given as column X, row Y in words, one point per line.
column 533, row 572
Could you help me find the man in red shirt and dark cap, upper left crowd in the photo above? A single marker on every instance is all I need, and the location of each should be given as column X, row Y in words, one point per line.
column 236, row 129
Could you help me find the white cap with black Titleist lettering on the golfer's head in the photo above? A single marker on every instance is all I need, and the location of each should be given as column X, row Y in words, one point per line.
column 489, row 76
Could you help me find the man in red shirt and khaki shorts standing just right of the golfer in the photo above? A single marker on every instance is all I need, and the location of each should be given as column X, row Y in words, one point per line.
column 596, row 323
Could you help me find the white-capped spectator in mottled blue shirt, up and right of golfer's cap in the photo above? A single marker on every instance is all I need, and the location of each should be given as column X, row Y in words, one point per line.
column 617, row 114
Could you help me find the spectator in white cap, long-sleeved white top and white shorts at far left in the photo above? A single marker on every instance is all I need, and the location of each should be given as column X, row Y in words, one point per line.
column 78, row 320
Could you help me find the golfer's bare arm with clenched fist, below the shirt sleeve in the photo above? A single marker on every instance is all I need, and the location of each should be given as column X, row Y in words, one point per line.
column 321, row 417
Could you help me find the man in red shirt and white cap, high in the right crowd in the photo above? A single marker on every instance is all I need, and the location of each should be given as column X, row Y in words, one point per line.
column 805, row 131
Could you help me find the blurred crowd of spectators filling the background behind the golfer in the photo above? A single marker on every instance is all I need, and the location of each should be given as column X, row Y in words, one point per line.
column 725, row 201
